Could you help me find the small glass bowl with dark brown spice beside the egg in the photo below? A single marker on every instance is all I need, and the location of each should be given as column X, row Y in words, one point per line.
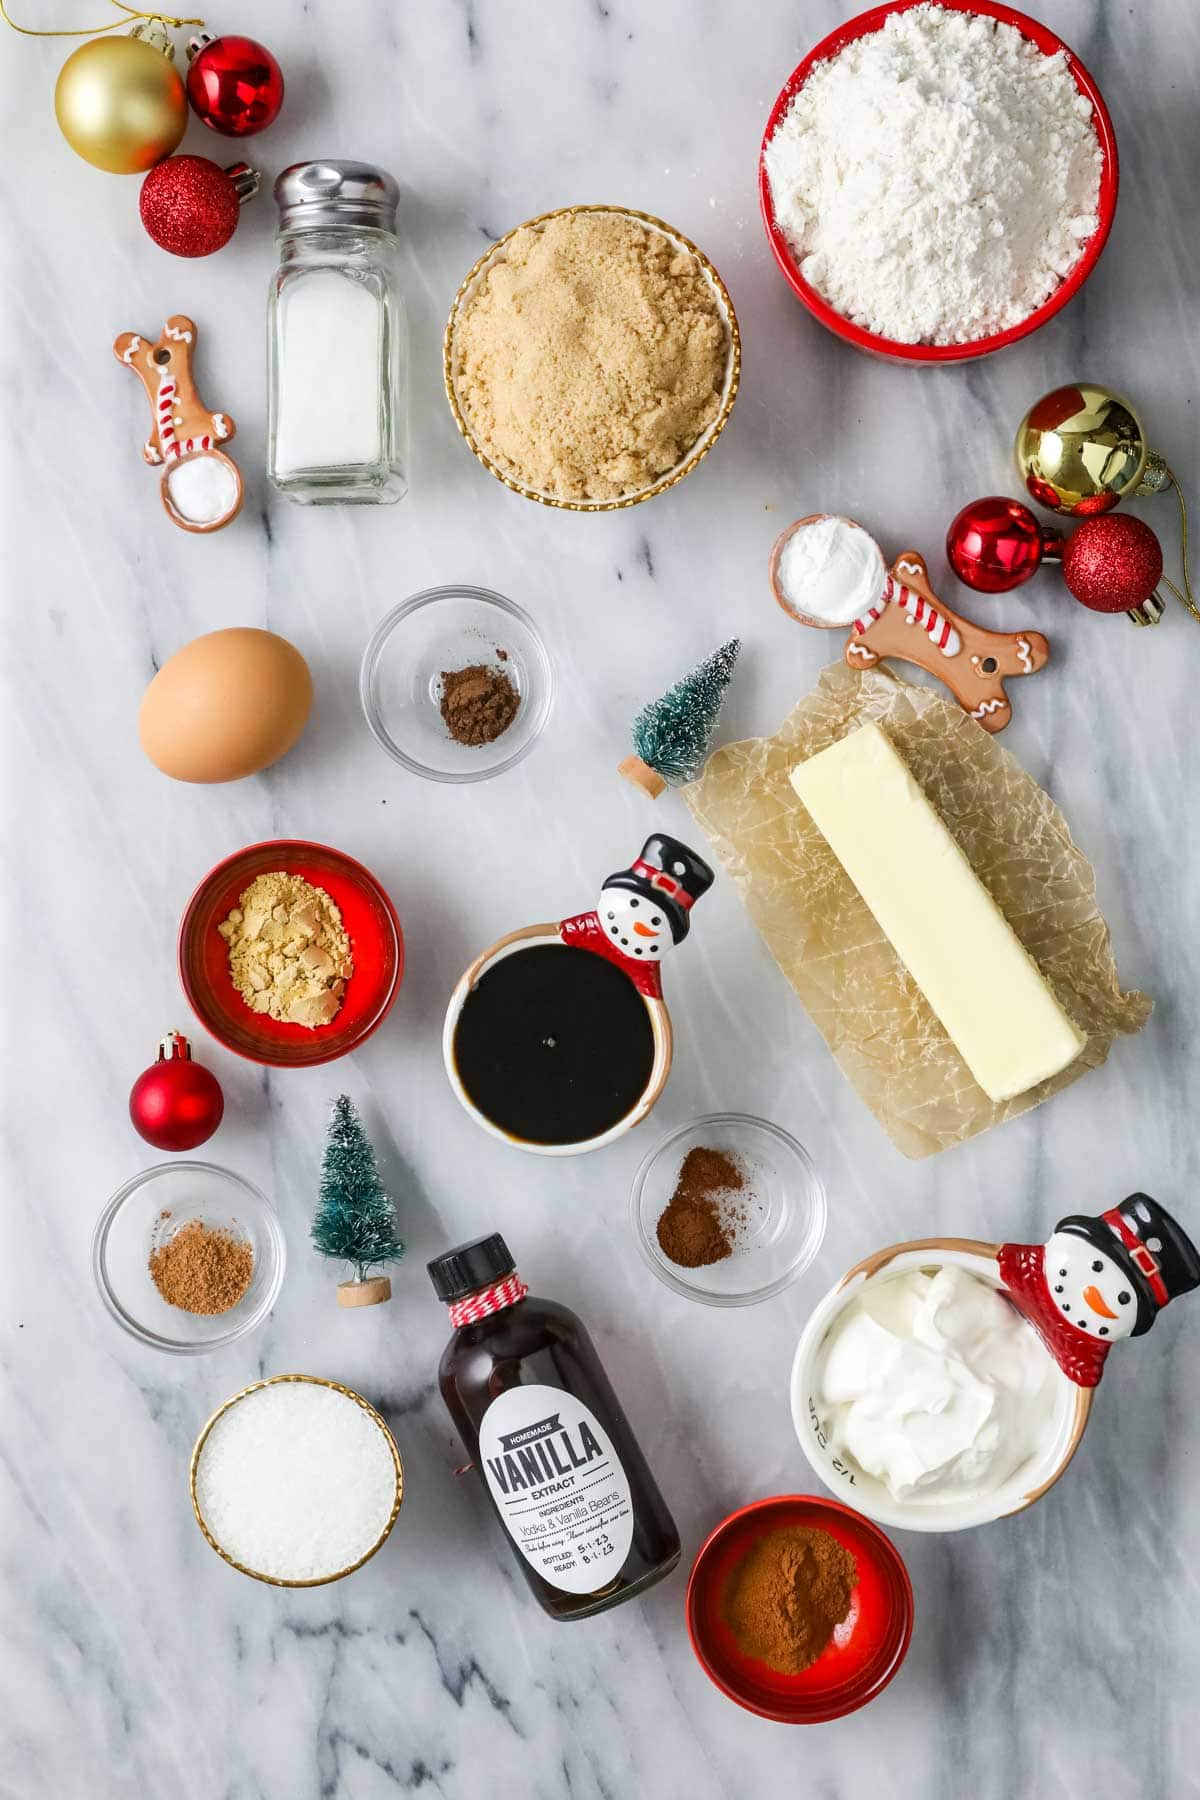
column 456, row 683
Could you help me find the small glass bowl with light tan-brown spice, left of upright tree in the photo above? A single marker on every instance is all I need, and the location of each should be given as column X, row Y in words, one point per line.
column 188, row 1257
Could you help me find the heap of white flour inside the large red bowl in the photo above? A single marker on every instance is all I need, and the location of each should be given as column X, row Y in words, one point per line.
column 936, row 179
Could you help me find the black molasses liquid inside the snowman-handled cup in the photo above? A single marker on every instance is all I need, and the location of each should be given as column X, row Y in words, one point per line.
column 555, row 1045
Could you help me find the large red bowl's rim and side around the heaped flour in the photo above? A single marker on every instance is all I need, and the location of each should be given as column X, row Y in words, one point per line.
column 981, row 346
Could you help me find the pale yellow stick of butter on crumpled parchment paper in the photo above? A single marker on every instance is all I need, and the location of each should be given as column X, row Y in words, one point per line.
column 938, row 915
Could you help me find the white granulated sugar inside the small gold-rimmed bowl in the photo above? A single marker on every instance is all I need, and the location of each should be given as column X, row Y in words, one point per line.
column 296, row 1482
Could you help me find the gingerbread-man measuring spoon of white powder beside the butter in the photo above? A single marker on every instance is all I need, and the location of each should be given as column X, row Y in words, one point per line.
column 895, row 613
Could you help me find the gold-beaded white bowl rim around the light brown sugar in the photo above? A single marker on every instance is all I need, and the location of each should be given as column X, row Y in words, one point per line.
column 695, row 454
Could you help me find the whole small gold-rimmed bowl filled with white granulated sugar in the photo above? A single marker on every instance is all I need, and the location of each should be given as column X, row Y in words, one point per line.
column 318, row 1470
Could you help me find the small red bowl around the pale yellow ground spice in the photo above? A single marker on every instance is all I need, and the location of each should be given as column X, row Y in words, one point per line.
column 377, row 949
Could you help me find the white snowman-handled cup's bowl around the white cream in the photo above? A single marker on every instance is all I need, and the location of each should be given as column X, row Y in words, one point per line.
column 1064, row 1408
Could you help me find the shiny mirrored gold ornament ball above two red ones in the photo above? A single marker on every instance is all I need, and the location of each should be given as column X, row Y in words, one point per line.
column 1082, row 449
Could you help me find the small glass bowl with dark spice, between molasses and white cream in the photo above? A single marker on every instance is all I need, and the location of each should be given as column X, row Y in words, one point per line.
column 730, row 1210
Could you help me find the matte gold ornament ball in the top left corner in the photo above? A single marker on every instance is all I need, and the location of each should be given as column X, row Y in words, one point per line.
column 121, row 105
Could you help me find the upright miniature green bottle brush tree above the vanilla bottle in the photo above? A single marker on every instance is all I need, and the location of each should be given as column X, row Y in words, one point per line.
column 355, row 1219
